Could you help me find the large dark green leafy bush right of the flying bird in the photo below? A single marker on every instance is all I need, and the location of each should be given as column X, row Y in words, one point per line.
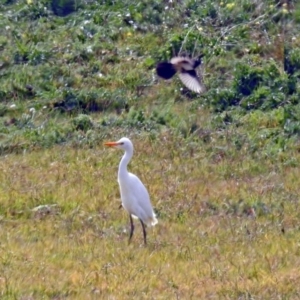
column 255, row 87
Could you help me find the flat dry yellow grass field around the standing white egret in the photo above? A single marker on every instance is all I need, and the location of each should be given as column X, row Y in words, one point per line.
column 206, row 244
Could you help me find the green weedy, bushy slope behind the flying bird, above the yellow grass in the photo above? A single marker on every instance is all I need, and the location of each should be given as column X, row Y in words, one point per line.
column 66, row 58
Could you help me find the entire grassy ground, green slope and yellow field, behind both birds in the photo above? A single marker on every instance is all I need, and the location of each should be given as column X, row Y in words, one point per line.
column 205, row 167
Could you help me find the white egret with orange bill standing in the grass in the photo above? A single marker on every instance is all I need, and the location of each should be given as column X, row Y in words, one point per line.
column 134, row 195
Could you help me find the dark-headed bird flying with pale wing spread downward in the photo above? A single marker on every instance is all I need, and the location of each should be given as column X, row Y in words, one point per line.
column 186, row 68
